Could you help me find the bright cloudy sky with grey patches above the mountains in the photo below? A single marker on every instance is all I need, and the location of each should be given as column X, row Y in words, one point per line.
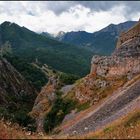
column 55, row 16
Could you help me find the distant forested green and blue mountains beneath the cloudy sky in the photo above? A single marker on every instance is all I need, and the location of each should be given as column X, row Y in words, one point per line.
column 69, row 52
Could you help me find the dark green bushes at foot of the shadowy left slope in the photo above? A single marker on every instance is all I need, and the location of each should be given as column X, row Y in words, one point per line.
column 17, row 111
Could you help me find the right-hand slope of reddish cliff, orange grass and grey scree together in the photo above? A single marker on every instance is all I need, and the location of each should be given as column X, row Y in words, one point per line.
column 107, row 105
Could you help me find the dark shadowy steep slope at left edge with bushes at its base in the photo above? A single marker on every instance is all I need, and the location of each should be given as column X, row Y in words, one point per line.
column 16, row 96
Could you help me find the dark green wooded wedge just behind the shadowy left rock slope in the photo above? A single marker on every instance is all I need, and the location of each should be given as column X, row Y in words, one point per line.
column 29, row 71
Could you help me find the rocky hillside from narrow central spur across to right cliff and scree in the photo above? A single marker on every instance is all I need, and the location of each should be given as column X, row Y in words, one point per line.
column 108, row 92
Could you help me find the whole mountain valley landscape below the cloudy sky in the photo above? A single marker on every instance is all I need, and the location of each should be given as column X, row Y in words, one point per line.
column 55, row 88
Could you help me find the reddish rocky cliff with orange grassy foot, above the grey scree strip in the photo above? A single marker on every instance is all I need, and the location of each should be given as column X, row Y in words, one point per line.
column 108, row 73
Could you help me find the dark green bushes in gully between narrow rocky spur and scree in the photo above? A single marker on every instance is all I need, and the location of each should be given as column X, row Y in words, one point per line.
column 60, row 108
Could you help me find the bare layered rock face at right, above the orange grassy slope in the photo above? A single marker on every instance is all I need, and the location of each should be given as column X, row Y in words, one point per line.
column 124, row 60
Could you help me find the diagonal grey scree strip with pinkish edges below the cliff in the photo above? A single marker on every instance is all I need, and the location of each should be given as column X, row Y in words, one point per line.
column 114, row 107
